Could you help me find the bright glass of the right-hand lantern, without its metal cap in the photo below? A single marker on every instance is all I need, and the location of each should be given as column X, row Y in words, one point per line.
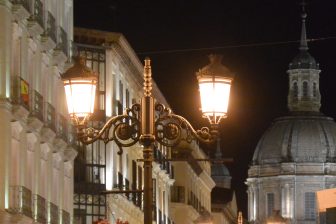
column 215, row 94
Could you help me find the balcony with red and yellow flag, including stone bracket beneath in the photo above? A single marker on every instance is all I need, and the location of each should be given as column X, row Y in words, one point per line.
column 20, row 97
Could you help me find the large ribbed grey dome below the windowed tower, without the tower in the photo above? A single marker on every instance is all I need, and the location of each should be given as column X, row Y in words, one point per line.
column 299, row 138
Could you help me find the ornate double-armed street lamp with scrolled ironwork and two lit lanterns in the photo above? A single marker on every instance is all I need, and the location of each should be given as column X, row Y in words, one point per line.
column 148, row 121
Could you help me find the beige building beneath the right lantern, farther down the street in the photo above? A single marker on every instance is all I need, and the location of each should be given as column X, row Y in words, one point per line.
column 191, row 192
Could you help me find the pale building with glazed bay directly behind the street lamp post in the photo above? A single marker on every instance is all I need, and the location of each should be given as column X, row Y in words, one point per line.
column 103, row 167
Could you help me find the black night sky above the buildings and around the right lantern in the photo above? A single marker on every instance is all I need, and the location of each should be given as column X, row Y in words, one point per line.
column 256, row 41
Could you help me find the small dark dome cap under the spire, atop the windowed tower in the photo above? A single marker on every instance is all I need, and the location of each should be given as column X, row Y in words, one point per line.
column 303, row 61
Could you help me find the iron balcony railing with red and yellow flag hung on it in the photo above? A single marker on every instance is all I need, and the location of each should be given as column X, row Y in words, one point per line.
column 20, row 91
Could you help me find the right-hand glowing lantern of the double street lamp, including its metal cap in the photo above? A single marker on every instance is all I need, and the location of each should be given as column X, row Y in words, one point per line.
column 214, row 82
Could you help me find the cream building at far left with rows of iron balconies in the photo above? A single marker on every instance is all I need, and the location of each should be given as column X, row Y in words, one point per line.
column 37, row 154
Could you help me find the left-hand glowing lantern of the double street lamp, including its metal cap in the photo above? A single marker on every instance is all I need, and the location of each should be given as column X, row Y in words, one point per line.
column 80, row 88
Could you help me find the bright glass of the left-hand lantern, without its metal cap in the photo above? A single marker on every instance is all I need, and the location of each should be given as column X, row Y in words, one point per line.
column 80, row 96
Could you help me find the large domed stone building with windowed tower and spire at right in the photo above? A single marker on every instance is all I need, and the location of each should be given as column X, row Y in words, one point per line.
column 296, row 156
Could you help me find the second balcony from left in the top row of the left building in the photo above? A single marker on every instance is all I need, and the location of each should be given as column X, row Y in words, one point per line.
column 36, row 22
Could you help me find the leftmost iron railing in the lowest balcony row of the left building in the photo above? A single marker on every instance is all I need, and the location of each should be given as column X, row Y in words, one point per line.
column 21, row 200
